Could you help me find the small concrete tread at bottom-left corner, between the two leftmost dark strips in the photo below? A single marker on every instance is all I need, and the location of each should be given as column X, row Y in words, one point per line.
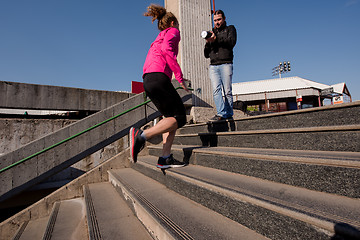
column 33, row 230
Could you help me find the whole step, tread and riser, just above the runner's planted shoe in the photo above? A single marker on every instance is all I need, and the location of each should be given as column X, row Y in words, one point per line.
column 325, row 171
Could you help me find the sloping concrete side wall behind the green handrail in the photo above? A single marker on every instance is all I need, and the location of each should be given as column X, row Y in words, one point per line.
column 54, row 160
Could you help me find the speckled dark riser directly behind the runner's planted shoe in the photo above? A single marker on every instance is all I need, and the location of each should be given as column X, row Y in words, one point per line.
column 338, row 180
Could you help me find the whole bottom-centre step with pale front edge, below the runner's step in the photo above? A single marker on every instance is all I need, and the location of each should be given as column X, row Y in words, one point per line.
column 168, row 215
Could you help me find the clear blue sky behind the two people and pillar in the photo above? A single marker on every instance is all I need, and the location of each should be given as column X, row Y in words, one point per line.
column 102, row 44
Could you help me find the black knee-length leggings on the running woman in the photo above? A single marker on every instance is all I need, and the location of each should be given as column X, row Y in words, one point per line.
column 162, row 93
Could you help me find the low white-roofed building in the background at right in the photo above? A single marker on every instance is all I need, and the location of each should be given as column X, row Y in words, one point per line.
column 282, row 94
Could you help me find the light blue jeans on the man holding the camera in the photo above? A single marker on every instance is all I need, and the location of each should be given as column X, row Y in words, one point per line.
column 221, row 81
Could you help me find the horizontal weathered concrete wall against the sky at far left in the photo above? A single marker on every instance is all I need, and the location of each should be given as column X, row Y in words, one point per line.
column 43, row 97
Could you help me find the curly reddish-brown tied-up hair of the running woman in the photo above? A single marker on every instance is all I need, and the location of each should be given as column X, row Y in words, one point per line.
column 164, row 18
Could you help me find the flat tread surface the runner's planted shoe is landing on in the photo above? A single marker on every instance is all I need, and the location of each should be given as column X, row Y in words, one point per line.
column 321, row 205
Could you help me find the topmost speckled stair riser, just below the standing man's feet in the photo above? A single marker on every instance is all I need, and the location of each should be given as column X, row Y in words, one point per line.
column 308, row 118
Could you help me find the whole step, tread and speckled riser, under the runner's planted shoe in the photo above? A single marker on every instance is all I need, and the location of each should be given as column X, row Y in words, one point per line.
column 275, row 210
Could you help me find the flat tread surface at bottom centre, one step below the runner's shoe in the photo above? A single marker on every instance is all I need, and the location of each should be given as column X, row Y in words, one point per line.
column 198, row 221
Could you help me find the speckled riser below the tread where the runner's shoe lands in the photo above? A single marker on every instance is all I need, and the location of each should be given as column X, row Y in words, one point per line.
column 264, row 221
